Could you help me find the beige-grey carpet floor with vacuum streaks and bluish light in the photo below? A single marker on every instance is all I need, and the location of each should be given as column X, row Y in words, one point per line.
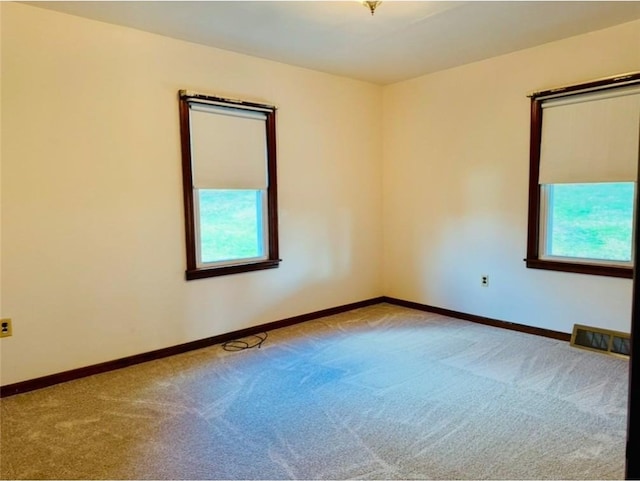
column 381, row 392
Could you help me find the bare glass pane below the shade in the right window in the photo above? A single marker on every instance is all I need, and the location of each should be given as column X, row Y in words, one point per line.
column 590, row 221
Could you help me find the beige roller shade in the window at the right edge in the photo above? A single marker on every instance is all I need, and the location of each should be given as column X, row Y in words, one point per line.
column 592, row 137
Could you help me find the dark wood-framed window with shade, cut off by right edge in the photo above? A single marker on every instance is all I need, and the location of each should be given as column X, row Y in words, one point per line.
column 583, row 173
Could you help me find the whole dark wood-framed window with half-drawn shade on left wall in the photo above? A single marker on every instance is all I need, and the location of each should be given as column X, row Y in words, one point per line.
column 229, row 180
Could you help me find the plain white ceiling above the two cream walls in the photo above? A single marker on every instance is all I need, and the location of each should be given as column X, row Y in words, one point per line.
column 404, row 39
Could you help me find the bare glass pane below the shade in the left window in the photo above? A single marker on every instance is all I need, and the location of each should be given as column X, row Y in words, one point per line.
column 231, row 225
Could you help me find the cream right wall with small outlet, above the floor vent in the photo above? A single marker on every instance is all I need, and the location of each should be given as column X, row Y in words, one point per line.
column 456, row 160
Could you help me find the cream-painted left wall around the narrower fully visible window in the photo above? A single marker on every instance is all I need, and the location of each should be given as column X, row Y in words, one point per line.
column 93, row 237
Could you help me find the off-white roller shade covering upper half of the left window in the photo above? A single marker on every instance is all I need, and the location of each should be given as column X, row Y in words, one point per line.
column 228, row 147
